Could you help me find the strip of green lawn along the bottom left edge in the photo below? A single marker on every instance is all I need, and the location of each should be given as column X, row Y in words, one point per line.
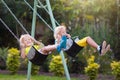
column 36, row 77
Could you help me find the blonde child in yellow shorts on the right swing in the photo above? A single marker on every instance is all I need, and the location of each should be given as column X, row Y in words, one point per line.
column 61, row 30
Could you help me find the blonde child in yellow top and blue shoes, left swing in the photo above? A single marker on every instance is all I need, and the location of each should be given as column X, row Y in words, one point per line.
column 26, row 42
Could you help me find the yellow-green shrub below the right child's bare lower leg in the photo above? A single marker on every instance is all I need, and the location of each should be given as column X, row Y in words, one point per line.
column 92, row 69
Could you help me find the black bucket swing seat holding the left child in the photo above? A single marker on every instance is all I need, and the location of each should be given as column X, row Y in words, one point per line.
column 36, row 57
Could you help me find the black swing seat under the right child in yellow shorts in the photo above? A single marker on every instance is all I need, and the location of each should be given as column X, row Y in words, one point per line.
column 73, row 49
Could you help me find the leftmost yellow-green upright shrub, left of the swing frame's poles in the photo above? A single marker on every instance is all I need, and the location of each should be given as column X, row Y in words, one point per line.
column 13, row 60
